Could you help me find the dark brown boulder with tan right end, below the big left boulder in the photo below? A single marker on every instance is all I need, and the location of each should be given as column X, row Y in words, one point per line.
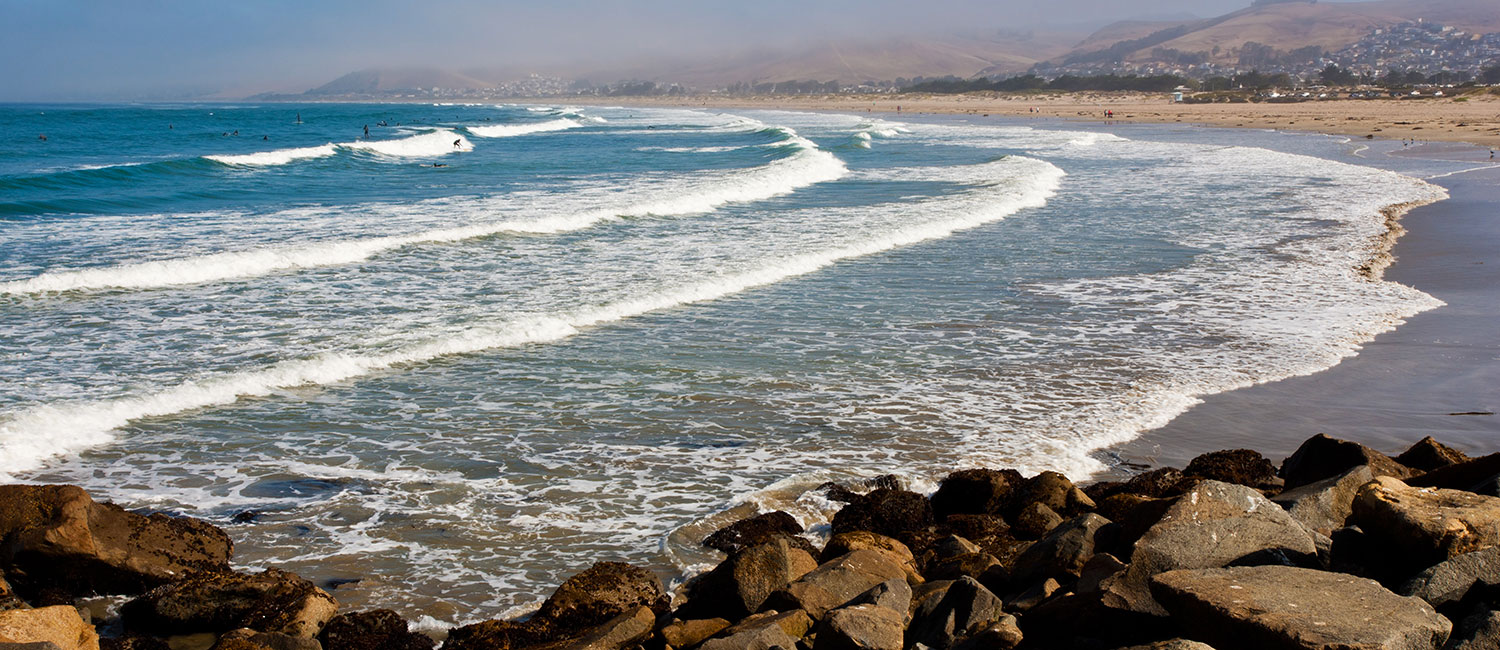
column 272, row 601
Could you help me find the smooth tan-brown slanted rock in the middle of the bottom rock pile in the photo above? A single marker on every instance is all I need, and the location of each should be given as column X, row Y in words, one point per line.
column 836, row 583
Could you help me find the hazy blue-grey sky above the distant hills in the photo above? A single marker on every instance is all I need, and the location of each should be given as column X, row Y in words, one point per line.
column 143, row 49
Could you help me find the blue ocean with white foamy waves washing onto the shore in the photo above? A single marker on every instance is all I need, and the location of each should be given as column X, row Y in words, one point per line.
column 446, row 366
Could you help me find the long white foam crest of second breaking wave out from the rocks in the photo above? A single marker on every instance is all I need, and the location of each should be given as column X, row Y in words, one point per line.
column 806, row 167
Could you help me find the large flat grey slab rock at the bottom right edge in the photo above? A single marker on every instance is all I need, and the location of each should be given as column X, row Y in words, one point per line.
column 1282, row 607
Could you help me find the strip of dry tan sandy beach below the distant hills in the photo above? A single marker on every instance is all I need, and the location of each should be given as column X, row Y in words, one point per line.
column 1469, row 119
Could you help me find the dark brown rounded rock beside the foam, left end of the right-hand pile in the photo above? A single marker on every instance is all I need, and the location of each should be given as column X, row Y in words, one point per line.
column 601, row 594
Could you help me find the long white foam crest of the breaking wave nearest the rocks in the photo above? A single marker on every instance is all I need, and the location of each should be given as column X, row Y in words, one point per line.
column 32, row 436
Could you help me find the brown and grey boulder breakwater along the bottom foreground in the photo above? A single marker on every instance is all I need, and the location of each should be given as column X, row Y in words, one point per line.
column 1340, row 547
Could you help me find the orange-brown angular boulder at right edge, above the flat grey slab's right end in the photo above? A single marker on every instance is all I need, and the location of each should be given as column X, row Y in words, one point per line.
column 1427, row 526
